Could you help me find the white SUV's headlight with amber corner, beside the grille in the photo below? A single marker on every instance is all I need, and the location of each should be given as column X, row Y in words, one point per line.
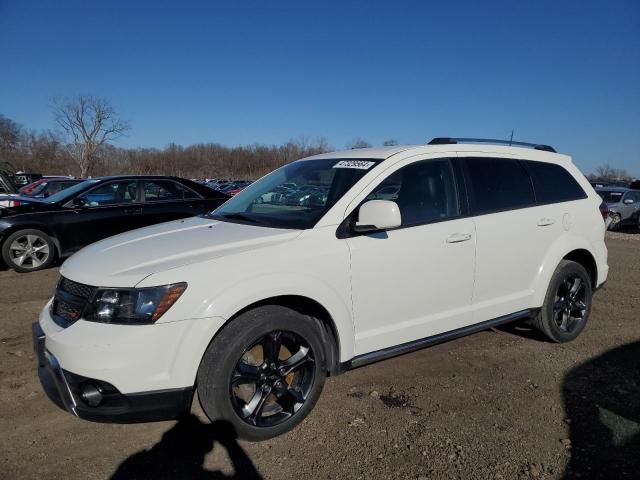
column 132, row 305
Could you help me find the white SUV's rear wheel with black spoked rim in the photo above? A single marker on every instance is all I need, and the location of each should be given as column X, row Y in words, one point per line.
column 567, row 304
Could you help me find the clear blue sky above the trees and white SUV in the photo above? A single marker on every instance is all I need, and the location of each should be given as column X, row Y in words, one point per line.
column 566, row 73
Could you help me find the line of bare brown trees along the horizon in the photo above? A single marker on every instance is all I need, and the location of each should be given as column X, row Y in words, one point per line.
column 88, row 125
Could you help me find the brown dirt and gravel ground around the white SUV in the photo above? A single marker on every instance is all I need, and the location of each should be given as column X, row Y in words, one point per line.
column 501, row 404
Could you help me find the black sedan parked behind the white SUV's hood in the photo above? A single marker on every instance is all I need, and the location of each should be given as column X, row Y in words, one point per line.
column 35, row 233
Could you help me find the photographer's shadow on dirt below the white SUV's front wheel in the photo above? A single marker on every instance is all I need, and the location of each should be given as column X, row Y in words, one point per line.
column 181, row 452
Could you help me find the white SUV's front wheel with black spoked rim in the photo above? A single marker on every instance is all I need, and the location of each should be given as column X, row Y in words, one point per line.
column 263, row 372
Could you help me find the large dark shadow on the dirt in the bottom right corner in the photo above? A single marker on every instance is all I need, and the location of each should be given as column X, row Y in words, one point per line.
column 602, row 402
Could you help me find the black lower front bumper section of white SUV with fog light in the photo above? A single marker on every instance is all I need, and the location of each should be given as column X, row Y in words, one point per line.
column 99, row 401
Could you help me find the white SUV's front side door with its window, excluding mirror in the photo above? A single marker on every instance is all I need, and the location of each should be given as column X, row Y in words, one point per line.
column 414, row 281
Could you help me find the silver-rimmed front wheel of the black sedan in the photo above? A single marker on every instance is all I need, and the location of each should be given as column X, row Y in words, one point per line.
column 28, row 251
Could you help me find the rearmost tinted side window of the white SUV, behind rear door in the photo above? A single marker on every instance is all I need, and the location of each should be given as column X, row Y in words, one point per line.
column 553, row 183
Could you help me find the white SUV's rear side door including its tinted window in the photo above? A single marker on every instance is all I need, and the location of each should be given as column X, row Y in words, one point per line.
column 513, row 234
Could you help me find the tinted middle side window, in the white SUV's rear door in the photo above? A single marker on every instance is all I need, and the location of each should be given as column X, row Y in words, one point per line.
column 499, row 184
